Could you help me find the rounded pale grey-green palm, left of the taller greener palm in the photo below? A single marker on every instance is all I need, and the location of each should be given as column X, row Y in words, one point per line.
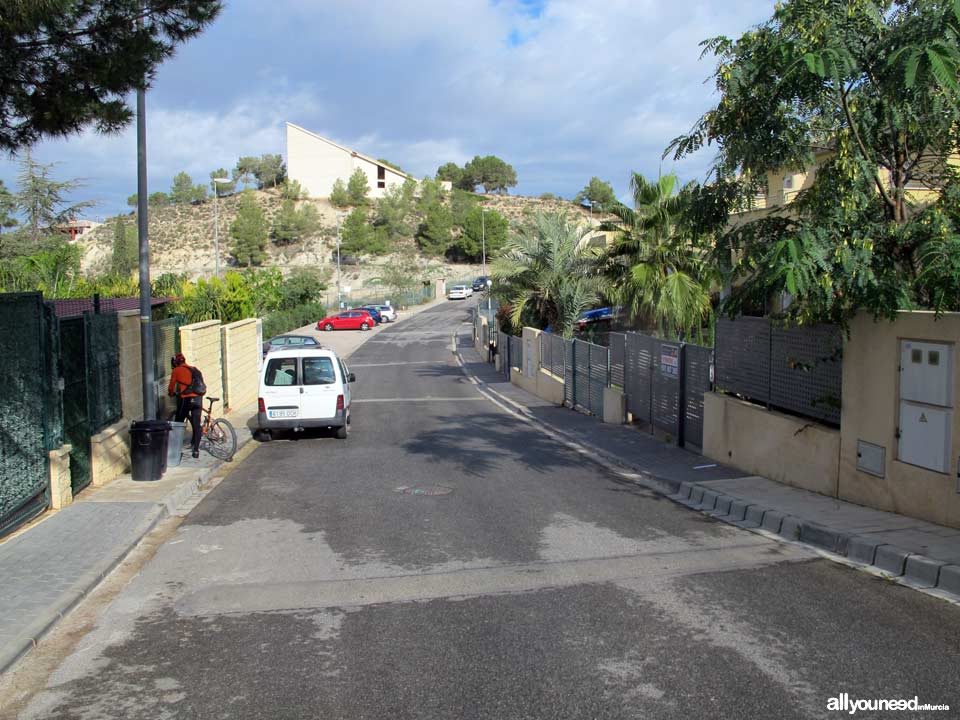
column 548, row 270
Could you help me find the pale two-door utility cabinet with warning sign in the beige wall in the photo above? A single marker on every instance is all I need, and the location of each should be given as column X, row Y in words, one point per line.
column 925, row 422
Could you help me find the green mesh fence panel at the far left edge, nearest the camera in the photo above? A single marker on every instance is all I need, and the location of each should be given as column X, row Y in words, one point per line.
column 24, row 463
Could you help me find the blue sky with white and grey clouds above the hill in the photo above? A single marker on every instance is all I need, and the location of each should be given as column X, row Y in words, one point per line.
column 562, row 90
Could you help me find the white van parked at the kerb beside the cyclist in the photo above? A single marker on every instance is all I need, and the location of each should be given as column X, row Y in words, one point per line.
column 304, row 388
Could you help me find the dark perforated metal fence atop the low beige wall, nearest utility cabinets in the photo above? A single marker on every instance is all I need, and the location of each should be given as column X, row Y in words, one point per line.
column 797, row 369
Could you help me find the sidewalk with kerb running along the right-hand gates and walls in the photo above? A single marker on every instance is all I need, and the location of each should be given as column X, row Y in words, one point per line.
column 913, row 552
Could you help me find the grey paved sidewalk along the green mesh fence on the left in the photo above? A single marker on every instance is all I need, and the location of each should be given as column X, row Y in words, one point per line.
column 48, row 567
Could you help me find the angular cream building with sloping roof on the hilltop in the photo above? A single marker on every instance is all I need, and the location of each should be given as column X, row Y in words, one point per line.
column 316, row 163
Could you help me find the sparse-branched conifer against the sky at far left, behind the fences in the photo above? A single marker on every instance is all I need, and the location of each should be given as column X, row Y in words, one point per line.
column 42, row 202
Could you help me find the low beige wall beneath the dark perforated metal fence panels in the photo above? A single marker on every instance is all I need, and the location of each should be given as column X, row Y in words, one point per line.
column 777, row 446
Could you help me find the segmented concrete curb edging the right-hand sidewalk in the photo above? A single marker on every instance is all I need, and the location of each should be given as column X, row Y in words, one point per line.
column 861, row 550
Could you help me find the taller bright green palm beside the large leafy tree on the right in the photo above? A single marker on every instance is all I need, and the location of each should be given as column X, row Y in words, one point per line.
column 656, row 272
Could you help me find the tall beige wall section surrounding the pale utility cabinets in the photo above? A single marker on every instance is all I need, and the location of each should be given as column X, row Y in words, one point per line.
column 871, row 378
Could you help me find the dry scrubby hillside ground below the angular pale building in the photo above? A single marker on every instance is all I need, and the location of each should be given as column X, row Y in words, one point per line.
column 182, row 239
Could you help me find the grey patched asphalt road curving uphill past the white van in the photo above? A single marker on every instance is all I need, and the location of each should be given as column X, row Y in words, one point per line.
column 325, row 579
